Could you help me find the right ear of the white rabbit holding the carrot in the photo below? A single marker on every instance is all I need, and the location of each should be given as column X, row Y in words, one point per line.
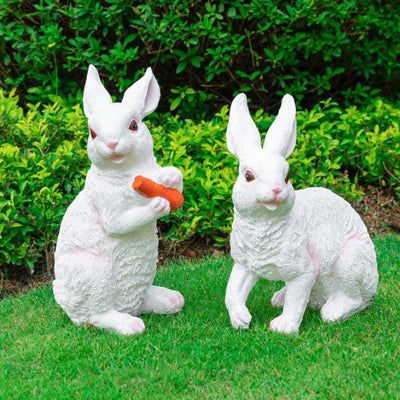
column 144, row 94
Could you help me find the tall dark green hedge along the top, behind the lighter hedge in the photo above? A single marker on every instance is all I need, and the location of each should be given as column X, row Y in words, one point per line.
column 204, row 50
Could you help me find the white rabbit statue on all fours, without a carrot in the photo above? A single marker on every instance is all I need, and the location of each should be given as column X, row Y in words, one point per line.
column 311, row 239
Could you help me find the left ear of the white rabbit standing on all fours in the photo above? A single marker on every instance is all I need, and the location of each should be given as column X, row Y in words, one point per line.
column 242, row 135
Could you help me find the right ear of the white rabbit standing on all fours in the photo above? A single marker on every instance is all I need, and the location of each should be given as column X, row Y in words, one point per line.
column 281, row 136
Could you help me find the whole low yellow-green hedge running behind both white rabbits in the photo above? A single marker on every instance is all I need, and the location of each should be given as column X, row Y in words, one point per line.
column 43, row 163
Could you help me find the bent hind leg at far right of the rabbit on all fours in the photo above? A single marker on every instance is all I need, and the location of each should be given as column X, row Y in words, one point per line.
column 353, row 282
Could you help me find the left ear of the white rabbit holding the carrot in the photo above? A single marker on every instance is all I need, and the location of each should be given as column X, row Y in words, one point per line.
column 94, row 93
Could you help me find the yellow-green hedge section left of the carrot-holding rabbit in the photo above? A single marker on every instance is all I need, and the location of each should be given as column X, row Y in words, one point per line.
column 42, row 168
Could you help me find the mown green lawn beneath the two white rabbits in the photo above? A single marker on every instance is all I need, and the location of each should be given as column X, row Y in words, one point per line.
column 196, row 354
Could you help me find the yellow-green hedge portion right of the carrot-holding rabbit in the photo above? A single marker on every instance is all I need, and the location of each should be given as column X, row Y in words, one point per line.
column 336, row 148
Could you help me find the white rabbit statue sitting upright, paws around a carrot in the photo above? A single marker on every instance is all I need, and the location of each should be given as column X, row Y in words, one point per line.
column 106, row 253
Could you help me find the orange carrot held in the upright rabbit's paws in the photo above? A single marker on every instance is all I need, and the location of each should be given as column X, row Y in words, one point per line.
column 148, row 188
